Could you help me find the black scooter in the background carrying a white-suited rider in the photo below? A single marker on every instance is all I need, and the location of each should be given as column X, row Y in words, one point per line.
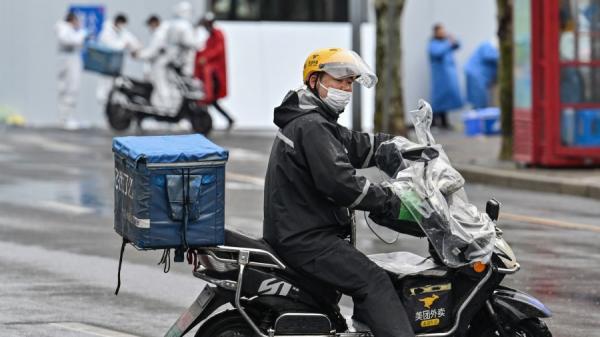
column 129, row 100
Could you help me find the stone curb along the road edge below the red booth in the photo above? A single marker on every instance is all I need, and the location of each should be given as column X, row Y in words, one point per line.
column 528, row 181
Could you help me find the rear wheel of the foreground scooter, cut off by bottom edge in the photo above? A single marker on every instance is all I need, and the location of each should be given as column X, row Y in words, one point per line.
column 226, row 324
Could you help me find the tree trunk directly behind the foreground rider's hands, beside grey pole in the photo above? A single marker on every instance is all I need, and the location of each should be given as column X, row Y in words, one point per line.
column 389, row 67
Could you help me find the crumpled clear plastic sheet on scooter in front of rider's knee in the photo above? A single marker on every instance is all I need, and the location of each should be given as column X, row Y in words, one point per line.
column 404, row 264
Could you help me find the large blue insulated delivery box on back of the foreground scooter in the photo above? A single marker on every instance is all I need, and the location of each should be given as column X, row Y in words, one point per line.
column 169, row 191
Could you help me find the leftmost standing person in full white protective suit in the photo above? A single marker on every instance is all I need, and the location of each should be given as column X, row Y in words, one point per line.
column 70, row 41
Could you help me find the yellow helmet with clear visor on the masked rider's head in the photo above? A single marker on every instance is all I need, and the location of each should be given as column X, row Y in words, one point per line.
column 339, row 63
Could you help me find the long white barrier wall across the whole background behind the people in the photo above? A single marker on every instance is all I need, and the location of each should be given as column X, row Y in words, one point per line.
column 265, row 58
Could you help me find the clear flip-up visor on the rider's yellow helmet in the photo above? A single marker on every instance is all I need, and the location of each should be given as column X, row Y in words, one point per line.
column 349, row 64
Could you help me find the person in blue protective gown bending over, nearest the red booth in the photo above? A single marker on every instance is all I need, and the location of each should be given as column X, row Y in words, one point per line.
column 481, row 72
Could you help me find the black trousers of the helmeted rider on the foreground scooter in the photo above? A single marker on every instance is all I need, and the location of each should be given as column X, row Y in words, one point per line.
column 376, row 302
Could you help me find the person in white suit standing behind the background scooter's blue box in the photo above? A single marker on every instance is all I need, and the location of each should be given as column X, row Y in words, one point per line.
column 116, row 36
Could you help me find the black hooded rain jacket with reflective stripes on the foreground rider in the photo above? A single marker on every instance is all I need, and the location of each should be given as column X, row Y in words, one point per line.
column 311, row 180
